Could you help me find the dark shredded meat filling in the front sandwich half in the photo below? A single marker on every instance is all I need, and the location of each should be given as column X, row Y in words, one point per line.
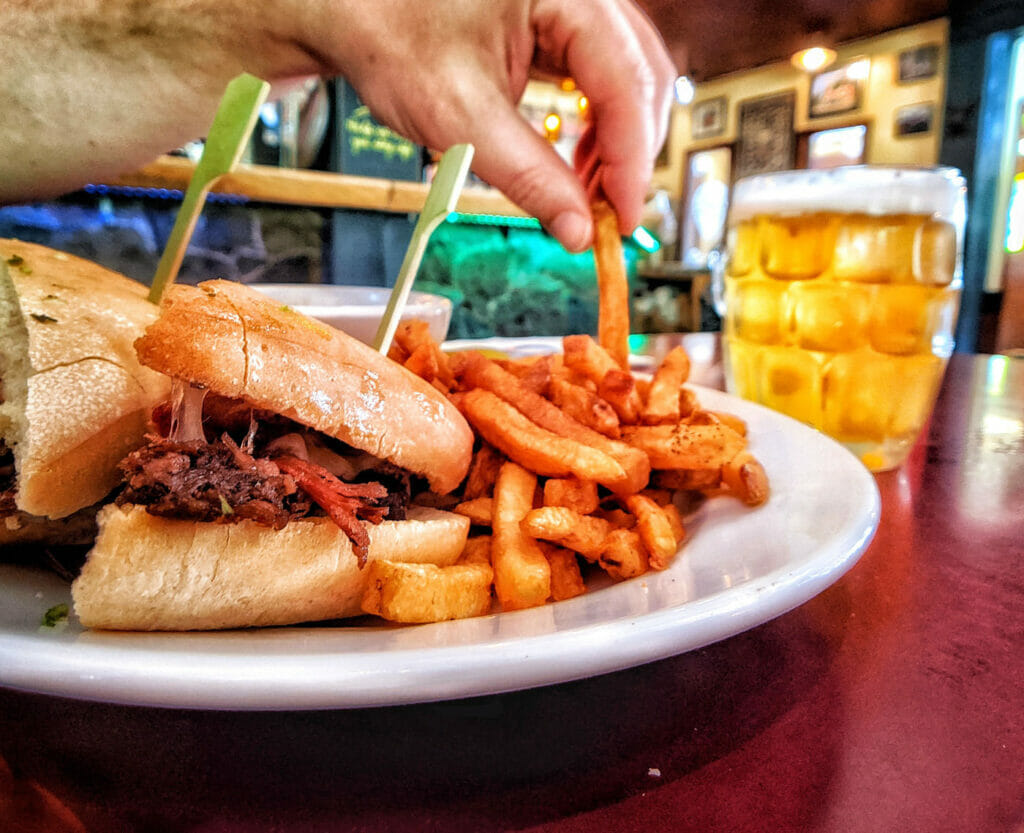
column 260, row 469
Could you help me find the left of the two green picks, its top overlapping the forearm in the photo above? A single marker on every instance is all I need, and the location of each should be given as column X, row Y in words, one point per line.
column 229, row 135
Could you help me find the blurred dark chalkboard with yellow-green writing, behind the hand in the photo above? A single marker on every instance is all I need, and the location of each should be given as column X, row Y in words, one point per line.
column 366, row 148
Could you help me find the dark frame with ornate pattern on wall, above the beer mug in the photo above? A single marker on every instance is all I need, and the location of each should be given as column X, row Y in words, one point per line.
column 765, row 140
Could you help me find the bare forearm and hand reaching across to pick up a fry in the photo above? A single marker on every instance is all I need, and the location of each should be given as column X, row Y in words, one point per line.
column 96, row 91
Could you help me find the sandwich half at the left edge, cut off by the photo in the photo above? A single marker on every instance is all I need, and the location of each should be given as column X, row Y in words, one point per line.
column 74, row 399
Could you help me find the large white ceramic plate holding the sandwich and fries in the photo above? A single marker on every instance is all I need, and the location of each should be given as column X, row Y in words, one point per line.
column 742, row 567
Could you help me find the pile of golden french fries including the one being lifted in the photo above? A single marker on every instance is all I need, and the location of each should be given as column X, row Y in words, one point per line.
column 579, row 465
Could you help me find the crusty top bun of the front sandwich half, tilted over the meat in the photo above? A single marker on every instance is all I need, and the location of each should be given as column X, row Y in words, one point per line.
column 239, row 344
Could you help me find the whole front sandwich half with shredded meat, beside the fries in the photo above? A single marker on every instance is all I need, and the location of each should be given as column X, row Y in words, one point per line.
column 288, row 456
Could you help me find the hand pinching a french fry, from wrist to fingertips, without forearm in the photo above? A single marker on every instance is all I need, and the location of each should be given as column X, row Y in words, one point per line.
column 443, row 74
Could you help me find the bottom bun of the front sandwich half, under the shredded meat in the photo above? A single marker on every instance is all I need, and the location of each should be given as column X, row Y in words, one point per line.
column 149, row 573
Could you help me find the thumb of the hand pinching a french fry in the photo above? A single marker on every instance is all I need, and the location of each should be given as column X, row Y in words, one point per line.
column 515, row 158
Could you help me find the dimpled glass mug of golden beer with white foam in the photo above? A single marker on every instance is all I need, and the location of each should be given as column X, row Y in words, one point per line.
column 841, row 296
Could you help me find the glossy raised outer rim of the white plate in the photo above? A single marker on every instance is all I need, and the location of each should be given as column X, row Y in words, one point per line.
column 484, row 667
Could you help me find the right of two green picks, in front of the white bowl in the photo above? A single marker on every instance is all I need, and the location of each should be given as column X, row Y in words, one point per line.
column 441, row 202
